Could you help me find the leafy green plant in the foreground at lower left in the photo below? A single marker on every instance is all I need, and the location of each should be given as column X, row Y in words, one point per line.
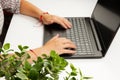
column 17, row 67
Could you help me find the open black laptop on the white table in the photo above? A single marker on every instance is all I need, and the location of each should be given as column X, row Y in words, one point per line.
column 92, row 35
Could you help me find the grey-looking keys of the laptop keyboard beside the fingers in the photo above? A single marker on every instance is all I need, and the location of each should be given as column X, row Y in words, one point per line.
column 80, row 36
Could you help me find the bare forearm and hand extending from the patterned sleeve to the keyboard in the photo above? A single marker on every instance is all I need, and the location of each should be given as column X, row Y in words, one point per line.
column 29, row 9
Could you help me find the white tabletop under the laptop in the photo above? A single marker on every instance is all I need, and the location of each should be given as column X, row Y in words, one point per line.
column 28, row 31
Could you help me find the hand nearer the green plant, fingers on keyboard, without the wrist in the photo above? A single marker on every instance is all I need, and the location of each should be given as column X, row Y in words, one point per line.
column 59, row 44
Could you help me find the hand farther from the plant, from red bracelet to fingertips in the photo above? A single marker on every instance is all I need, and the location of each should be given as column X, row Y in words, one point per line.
column 49, row 19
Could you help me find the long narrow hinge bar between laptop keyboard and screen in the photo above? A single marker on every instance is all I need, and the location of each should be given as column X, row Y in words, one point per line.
column 96, row 36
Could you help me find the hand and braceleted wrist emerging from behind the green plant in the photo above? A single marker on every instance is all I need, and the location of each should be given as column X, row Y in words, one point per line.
column 58, row 44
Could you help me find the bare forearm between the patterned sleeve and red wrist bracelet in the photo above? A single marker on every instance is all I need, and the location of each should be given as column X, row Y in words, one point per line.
column 29, row 9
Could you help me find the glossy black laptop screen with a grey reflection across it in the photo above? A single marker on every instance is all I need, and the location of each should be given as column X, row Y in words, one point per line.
column 107, row 22
